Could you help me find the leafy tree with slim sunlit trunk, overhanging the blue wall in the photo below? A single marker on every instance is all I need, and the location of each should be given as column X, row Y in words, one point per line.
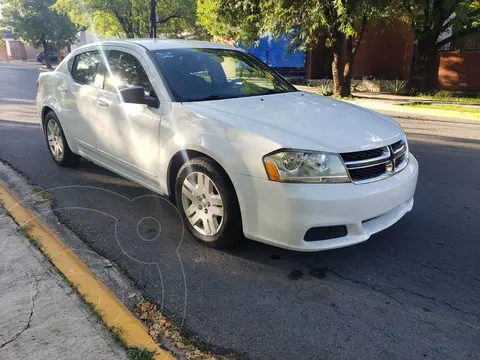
column 341, row 23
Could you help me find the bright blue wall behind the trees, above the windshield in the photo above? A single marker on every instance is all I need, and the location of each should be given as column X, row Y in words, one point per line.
column 274, row 53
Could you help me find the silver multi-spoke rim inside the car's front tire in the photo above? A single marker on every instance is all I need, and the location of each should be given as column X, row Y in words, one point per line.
column 202, row 203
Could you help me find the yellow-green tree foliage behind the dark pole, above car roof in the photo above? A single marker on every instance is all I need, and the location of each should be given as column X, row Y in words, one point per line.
column 130, row 18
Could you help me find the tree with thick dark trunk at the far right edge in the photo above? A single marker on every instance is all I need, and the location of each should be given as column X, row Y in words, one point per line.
column 429, row 20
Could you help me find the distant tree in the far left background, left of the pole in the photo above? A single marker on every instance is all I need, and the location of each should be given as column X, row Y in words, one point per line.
column 37, row 23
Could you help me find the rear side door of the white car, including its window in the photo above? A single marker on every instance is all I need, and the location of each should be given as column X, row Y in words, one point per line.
column 76, row 92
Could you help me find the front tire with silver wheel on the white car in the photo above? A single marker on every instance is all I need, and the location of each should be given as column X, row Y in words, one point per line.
column 208, row 204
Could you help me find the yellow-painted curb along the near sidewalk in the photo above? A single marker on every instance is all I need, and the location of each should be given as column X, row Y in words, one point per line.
column 112, row 311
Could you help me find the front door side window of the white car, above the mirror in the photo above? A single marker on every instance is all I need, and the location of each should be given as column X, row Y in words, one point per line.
column 124, row 70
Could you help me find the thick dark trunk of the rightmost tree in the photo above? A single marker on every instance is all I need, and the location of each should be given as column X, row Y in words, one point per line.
column 425, row 70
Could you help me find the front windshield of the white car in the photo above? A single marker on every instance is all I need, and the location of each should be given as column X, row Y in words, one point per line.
column 214, row 74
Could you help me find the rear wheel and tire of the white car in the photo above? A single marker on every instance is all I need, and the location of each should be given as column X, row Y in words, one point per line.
column 57, row 143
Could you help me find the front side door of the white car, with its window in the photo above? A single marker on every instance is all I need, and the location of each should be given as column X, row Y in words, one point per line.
column 127, row 134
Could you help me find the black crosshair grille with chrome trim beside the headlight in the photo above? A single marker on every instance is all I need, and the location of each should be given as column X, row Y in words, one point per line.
column 376, row 164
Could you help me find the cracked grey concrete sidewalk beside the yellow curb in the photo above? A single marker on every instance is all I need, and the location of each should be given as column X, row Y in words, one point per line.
column 41, row 316
